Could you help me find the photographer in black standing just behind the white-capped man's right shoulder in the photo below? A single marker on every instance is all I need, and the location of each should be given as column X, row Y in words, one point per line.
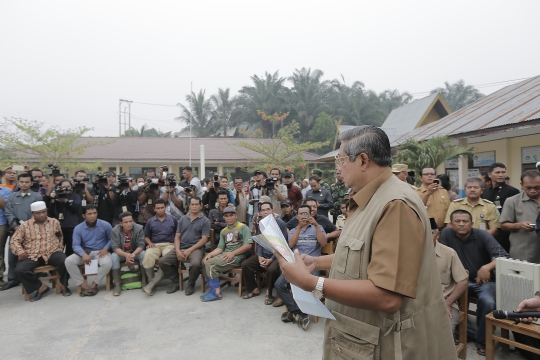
column 65, row 207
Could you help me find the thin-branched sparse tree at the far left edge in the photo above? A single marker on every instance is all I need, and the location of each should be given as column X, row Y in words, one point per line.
column 27, row 141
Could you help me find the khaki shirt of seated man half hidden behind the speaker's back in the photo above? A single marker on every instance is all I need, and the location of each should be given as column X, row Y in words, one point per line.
column 450, row 268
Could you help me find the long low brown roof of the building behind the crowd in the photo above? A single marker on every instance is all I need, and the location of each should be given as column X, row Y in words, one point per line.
column 140, row 149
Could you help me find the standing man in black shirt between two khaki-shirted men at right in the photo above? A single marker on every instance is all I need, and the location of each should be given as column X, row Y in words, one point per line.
column 497, row 193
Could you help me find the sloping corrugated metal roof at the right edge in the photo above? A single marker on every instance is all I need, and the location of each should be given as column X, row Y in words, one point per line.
column 511, row 107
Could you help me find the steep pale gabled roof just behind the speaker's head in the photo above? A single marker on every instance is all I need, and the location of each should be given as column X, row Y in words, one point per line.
column 415, row 114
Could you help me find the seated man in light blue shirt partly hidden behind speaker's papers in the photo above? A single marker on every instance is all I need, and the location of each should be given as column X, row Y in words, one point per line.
column 309, row 238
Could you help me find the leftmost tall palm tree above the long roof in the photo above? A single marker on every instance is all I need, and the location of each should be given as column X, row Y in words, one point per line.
column 198, row 113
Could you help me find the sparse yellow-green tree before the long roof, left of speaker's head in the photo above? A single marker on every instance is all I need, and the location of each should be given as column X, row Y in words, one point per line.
column 283, row 151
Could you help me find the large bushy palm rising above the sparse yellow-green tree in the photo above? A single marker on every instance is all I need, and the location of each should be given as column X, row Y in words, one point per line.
column 267, row 94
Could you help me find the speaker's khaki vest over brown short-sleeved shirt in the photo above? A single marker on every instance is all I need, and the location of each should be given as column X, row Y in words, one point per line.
column 387, row 239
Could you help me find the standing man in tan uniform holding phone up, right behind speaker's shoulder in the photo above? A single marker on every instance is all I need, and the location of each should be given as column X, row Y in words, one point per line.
column 434, row 196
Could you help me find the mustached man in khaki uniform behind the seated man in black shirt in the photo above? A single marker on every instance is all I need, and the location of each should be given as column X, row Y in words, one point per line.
column 484, row 212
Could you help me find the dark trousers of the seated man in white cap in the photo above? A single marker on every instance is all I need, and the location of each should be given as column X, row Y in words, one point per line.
column 25, row 271
